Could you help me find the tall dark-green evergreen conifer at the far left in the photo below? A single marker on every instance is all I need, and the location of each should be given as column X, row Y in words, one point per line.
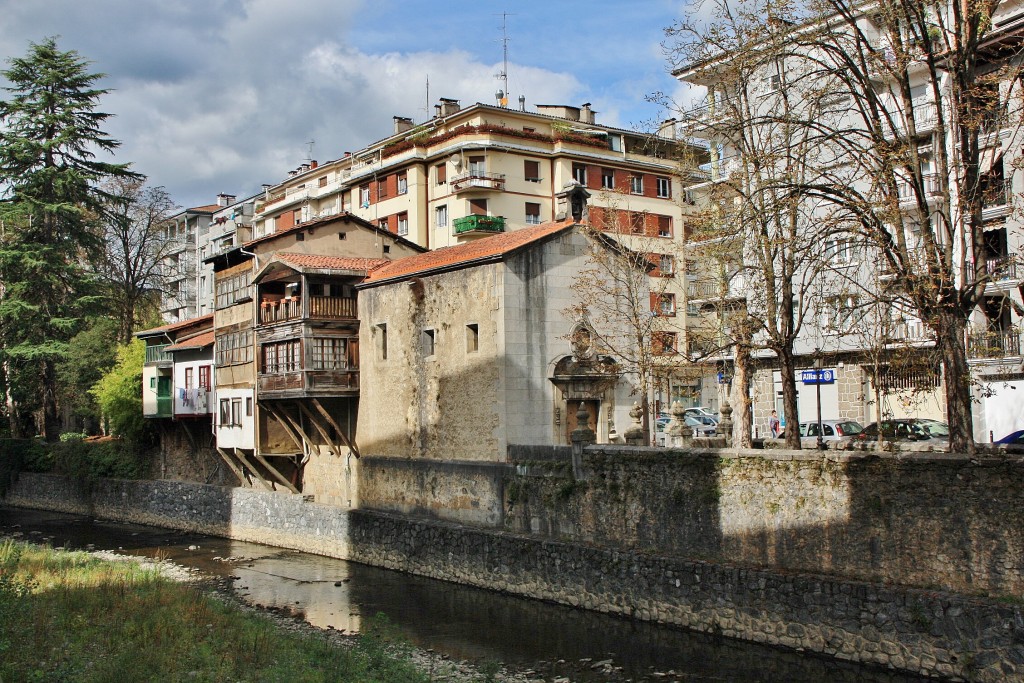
column 51, row 205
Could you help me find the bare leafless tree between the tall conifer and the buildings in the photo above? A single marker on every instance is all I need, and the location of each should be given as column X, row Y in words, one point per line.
column 135, row 248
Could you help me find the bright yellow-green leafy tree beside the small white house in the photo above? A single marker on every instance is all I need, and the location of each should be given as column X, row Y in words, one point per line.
column 119, row 394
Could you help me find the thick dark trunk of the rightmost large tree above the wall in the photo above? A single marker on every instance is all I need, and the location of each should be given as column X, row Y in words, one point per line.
column 952, row 332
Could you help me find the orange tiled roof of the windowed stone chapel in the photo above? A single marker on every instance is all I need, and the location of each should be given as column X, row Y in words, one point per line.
column 461, row 255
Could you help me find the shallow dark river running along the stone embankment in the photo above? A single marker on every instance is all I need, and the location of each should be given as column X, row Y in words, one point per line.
column 460, row 622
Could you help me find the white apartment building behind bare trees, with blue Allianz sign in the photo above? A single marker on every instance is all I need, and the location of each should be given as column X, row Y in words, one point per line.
column 865, row 344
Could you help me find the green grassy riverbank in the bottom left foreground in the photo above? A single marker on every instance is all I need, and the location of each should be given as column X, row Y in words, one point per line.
column 73, row 617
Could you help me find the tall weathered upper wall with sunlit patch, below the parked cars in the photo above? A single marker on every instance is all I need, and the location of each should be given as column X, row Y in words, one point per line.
column 921, row 520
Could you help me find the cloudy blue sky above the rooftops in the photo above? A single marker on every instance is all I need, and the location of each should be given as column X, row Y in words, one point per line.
column 214, row 97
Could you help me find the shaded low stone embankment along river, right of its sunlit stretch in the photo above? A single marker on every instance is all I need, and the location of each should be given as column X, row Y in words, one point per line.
column 928, row 632
